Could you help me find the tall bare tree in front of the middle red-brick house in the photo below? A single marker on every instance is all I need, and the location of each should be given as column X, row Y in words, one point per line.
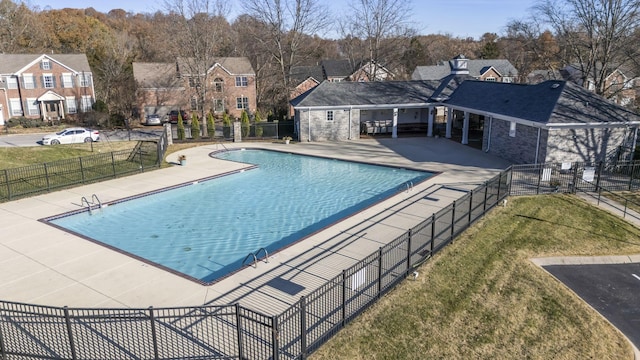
column 197, row 29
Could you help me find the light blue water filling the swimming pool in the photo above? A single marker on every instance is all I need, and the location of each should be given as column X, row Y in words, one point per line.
column 204, row 231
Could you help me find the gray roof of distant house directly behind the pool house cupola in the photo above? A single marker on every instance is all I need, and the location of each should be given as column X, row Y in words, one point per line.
column 475, row 67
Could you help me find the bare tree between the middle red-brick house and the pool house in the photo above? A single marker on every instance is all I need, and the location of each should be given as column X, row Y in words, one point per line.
column 288, row 25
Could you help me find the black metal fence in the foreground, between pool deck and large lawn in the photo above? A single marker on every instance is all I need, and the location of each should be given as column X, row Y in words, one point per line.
column 233, row 331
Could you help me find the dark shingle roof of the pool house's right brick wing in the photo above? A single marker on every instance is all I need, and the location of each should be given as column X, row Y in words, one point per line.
column 549, row 102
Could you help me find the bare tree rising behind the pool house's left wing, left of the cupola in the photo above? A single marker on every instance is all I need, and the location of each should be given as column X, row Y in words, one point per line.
column 384, row 26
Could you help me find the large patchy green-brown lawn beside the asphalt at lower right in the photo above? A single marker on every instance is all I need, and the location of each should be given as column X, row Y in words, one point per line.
column 481, row 297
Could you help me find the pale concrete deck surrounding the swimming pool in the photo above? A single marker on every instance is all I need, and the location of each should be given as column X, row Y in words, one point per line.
column 42, row 265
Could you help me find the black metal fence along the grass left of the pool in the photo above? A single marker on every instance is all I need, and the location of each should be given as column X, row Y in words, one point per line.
column 41, row 178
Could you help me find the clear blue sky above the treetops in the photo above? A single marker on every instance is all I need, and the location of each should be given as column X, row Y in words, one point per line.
column 460, row 18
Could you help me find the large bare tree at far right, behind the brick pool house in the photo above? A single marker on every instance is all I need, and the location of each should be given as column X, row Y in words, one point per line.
column 595, row 35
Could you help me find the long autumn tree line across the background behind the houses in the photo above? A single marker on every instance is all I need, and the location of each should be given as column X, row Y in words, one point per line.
column 278, row 35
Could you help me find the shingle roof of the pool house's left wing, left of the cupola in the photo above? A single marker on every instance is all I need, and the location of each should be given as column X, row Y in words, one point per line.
column 367, row 94
